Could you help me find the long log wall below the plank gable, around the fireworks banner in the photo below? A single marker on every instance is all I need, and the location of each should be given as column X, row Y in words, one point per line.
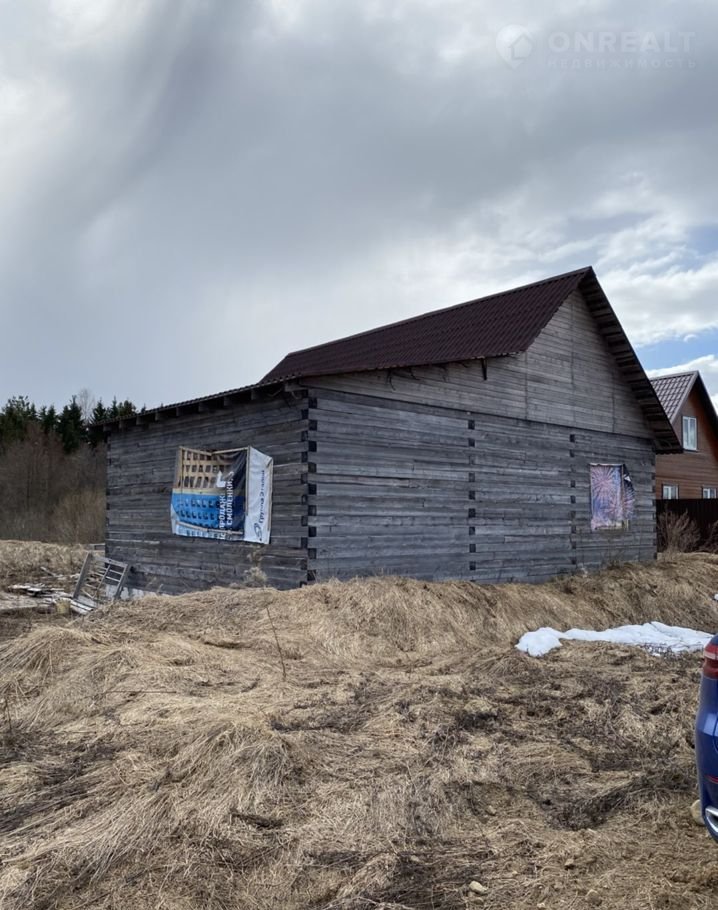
column 399, row 488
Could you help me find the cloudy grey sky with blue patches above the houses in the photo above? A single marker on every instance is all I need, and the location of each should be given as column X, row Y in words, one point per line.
column 191, row 188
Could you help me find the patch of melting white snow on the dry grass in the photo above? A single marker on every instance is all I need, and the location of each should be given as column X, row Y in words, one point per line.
column 654, row 636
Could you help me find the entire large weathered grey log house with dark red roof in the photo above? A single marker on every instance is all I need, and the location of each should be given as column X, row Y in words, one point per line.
column 507, row 438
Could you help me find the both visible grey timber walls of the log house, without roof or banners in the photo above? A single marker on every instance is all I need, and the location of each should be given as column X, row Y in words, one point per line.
column 435, row 472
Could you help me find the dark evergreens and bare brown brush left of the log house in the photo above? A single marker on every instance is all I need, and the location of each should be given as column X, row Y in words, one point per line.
column 52, row 468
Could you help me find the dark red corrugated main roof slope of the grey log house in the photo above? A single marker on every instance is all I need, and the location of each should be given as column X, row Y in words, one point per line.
column 504, row 323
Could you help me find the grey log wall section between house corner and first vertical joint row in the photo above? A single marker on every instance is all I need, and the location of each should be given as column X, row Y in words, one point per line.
column 388, row 489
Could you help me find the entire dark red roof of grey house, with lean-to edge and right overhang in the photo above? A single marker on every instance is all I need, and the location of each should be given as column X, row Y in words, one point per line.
column 494, row 326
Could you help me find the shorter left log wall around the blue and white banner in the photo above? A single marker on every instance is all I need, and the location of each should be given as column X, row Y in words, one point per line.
column 140, row 474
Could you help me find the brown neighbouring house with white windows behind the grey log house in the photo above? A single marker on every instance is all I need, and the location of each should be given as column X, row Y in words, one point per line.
column 693, row 474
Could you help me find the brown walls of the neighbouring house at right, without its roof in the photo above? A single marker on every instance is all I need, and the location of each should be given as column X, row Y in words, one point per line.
column 691, row 471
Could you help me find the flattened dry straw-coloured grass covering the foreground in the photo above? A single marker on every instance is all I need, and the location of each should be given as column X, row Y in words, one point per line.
column 376, row 744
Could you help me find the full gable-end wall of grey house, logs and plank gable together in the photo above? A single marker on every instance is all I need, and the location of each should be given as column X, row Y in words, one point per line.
column 438, row 472
